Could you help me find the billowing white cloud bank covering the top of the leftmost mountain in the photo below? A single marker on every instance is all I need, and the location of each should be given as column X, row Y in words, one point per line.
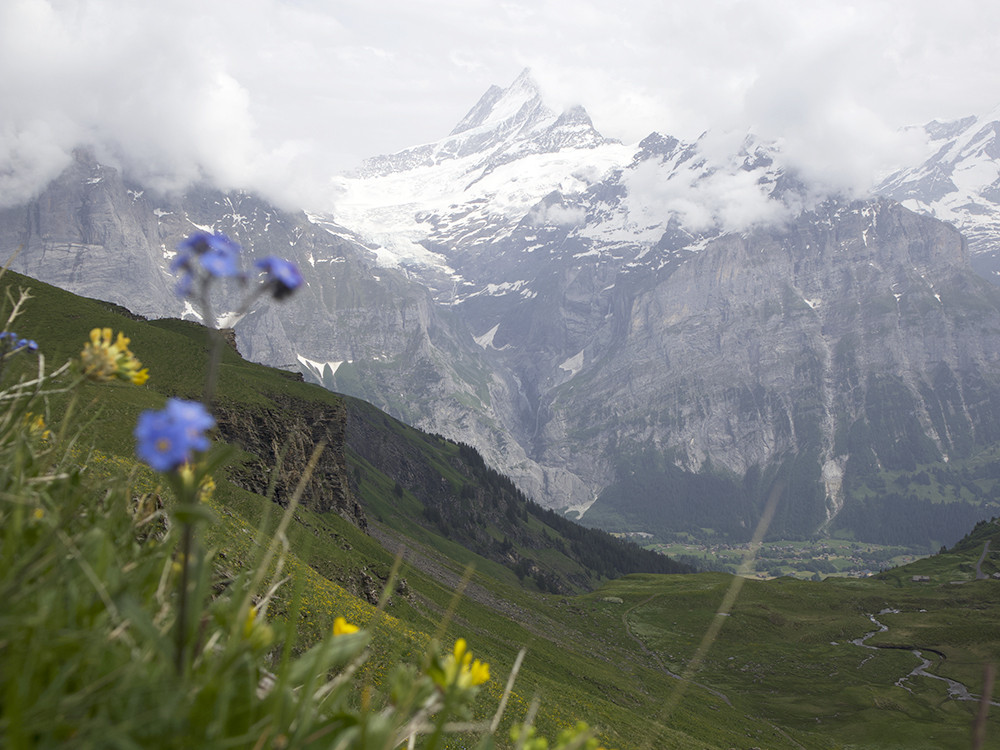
column 133, row 83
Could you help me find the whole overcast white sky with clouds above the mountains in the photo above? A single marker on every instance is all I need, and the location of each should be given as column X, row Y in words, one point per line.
column 280, row 94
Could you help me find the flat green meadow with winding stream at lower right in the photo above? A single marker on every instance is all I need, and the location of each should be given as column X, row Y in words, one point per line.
column 874, row 663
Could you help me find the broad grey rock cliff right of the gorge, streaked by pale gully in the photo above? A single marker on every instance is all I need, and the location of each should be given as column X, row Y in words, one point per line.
column 780, row 343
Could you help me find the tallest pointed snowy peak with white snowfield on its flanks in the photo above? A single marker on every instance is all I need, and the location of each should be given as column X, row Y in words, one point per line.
column 477, row 184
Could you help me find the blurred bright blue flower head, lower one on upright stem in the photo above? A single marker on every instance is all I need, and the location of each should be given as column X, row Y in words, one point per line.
column 167, row 439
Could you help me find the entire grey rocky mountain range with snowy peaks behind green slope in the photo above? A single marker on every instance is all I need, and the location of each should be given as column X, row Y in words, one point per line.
column 657, row 336
